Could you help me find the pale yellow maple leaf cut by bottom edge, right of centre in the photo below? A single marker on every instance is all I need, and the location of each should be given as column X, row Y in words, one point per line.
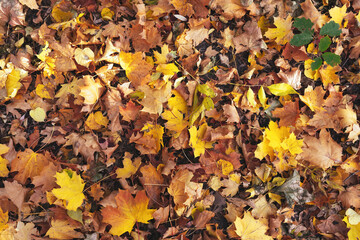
column 248, row 228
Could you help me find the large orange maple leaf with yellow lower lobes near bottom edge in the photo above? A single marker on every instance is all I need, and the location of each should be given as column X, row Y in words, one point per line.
column 129, row 211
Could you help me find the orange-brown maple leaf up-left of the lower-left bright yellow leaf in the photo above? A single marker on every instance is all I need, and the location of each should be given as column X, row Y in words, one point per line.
column 29, row 164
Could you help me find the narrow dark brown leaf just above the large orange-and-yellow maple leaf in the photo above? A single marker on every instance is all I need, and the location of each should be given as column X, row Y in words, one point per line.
column 153, row 183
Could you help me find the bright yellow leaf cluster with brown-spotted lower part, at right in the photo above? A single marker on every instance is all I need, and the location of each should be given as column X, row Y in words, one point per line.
column 281, row 145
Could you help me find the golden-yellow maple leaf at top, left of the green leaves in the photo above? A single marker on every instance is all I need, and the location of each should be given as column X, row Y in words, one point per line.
column 282, row 33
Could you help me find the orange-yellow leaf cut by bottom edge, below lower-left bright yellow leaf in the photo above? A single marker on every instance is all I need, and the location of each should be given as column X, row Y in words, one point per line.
column 62, row 229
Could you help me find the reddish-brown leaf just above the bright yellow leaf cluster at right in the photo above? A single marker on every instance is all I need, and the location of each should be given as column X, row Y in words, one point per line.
column 288, row 114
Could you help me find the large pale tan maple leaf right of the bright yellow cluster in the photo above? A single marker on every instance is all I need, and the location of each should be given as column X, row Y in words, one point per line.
column 323, row 152
